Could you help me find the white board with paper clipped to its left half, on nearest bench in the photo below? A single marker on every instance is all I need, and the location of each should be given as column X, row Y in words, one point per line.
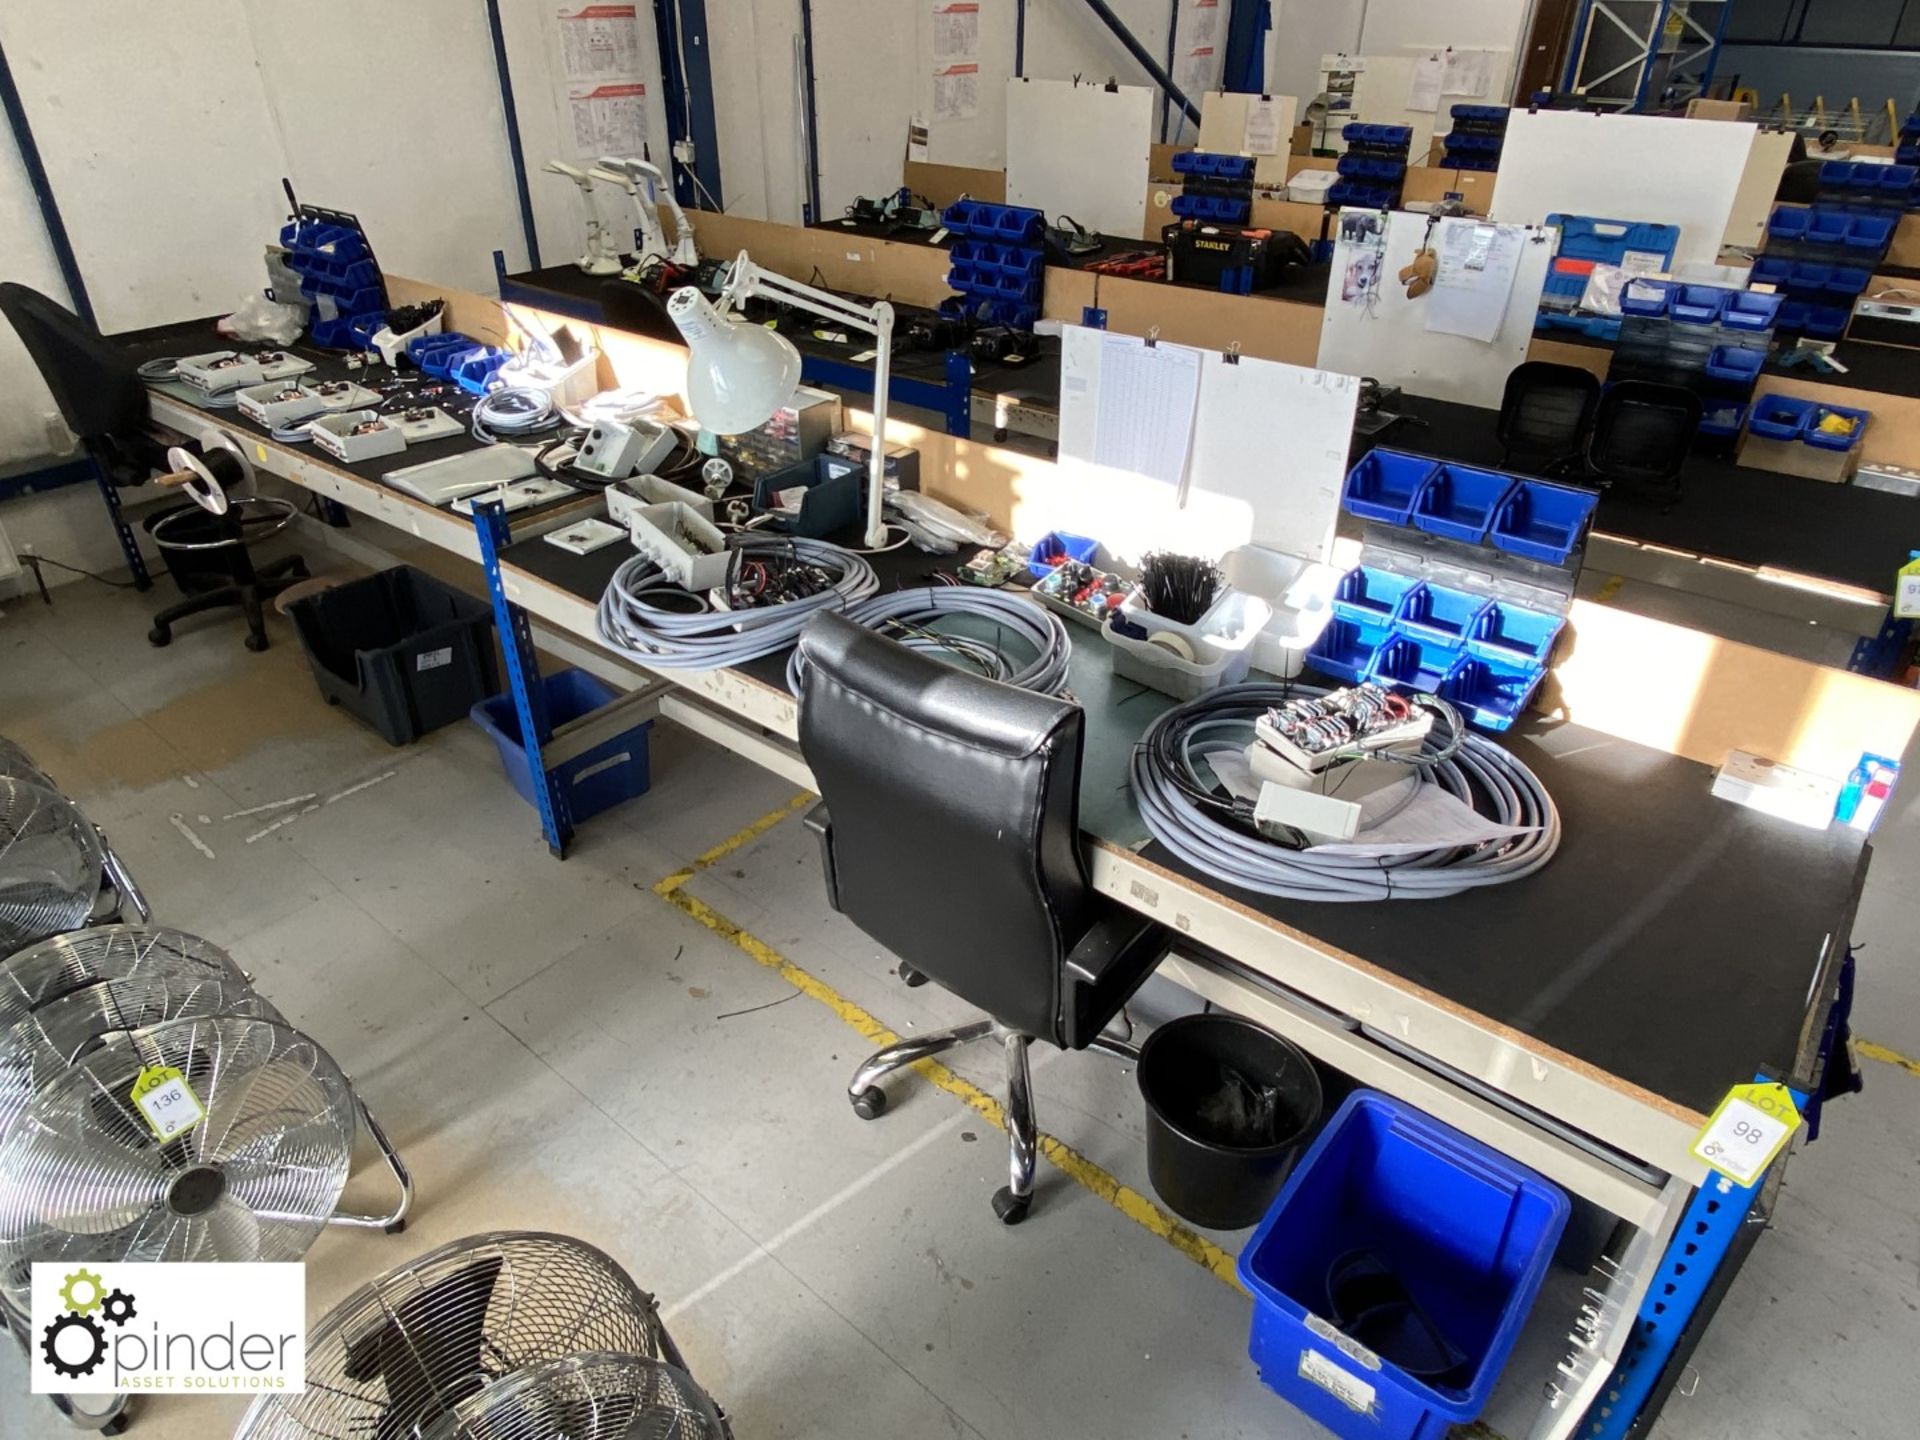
column 1268, row 462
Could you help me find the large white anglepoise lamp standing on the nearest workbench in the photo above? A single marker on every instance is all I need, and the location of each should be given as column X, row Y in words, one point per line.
column 738, row 373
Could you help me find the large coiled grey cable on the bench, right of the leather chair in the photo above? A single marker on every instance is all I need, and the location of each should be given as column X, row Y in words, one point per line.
column 1216, row 836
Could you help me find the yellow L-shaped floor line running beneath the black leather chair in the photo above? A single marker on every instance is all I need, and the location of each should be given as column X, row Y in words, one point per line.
column 1065, row 1159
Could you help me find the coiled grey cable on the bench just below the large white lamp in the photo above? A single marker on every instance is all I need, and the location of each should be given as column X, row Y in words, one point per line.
column 650, row 619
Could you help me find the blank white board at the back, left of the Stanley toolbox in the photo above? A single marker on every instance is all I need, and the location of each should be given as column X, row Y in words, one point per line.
column 1080, row 151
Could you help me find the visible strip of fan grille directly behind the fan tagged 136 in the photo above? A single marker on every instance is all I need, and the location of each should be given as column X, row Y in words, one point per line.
column 41, row 1045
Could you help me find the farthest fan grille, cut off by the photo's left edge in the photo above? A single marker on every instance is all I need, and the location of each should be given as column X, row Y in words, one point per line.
column 51, row 865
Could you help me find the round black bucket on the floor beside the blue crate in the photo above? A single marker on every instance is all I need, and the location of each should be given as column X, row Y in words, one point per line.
column 1230, row 1107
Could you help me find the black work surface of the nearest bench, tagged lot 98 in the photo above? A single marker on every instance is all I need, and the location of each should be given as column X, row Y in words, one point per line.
column 1671, row 946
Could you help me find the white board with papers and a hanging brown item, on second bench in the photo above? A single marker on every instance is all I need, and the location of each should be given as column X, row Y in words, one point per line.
column 1385, row 335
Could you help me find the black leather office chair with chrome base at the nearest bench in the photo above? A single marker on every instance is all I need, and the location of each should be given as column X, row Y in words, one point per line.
column 949, row 832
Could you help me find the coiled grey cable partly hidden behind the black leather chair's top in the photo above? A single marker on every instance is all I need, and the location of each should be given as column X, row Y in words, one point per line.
column 911, row 617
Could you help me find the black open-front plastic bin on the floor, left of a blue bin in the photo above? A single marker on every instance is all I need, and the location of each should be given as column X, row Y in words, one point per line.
column 400, row 650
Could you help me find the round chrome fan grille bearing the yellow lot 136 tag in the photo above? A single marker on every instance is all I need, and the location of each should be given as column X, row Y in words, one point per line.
column 85, row 1180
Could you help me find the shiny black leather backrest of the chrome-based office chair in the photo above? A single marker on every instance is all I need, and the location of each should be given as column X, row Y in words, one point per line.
column 955, row 819
